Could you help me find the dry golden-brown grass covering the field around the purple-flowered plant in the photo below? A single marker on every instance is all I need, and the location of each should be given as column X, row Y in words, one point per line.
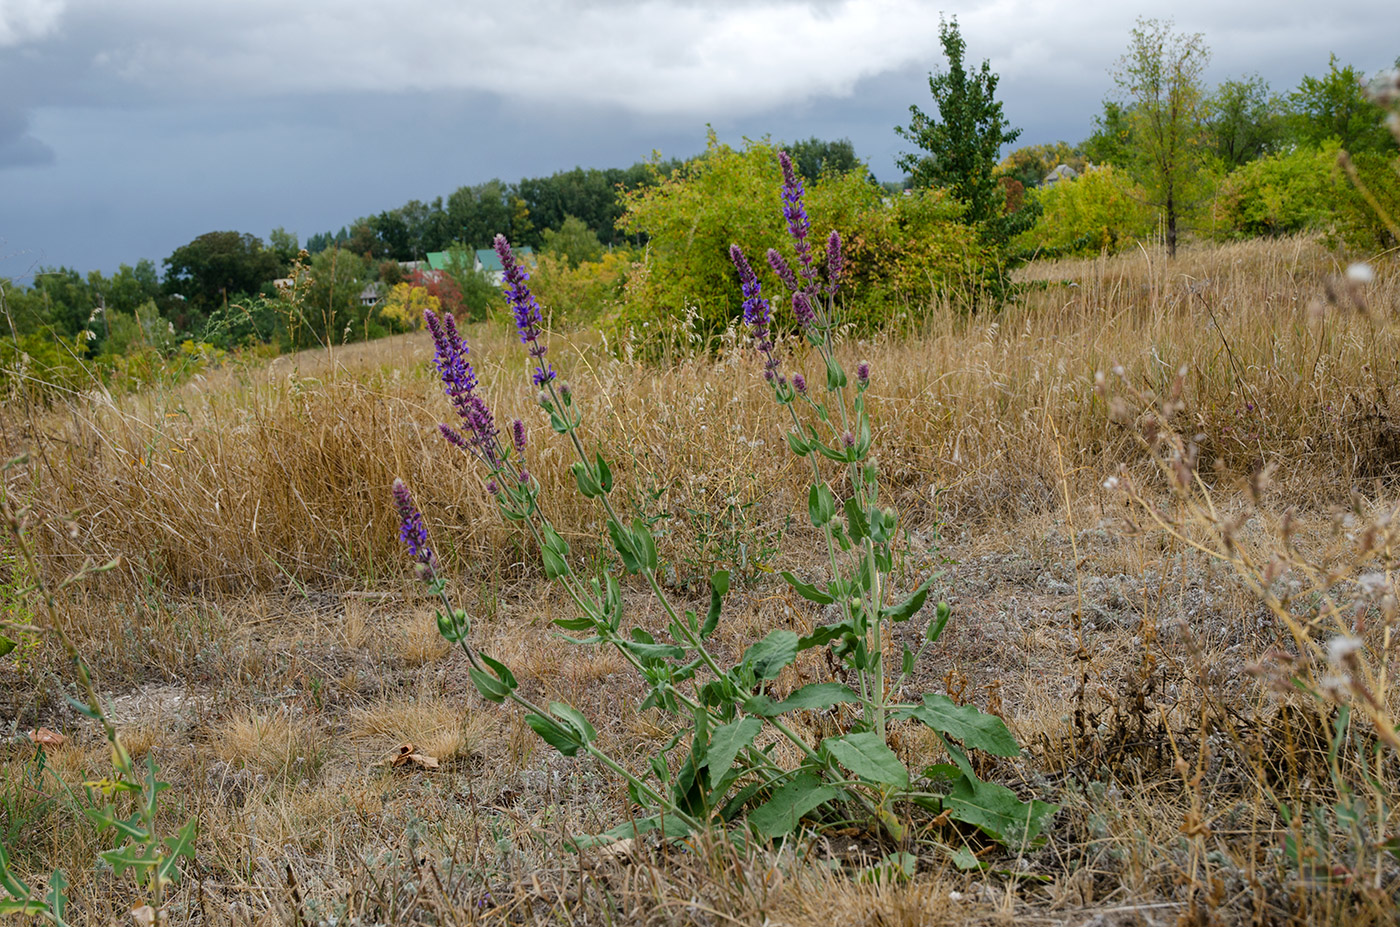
column 269, row 652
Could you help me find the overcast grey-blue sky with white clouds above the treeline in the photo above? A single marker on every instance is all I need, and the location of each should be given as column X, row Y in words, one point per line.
column 131, row 127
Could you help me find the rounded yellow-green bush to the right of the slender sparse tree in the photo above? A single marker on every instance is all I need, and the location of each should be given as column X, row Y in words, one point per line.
column 1280, row 195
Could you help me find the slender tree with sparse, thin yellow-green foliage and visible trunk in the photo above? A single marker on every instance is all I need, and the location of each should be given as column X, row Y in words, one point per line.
column 1161, row 78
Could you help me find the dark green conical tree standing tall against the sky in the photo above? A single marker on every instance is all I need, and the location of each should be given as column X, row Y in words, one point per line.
column 961, row 144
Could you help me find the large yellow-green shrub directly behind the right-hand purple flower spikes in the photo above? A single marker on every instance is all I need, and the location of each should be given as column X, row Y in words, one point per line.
column 911, row 250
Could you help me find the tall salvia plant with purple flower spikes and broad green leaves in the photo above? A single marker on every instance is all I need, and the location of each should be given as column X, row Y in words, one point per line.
column 723, row 768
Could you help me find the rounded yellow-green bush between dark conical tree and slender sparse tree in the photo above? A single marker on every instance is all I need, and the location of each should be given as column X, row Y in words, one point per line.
column 1101, row 211
